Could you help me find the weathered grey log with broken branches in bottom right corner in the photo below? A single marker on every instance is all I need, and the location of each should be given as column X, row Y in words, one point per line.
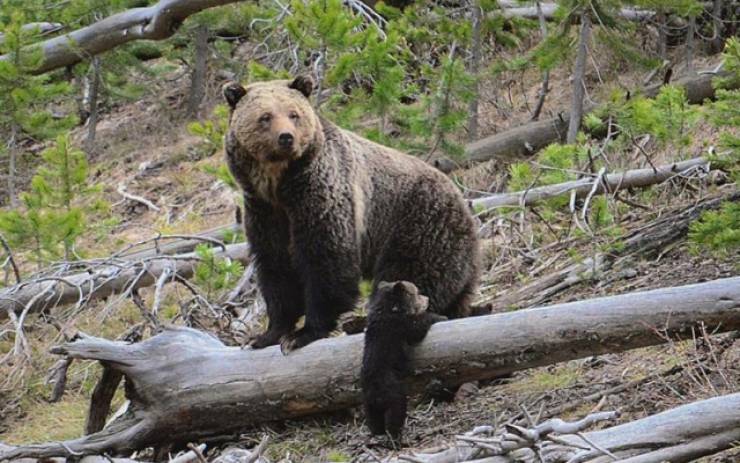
column 678, row 435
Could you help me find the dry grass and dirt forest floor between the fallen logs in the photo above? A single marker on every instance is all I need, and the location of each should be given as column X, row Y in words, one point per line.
column 146, row 147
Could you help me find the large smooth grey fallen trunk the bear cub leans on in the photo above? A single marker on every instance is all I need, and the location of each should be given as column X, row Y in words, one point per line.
column 184, row 385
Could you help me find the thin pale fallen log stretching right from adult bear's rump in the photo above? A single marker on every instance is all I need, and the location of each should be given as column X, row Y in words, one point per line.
column 611, row 183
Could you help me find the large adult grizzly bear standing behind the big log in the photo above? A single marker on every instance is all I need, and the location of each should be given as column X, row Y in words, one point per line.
column 325, row 207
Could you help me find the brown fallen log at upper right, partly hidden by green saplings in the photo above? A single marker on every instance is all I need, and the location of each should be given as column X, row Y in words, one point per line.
column 525, row 140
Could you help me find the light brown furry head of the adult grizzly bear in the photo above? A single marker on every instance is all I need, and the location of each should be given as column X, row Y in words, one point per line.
column 272, row 121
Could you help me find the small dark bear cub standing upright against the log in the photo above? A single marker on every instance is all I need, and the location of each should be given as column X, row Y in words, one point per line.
column 397, row 319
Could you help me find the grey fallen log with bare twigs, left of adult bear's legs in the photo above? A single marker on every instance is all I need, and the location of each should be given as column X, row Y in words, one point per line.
column 105, row 280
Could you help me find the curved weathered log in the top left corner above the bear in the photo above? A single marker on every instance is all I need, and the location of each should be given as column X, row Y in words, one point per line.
column 156, row 22
